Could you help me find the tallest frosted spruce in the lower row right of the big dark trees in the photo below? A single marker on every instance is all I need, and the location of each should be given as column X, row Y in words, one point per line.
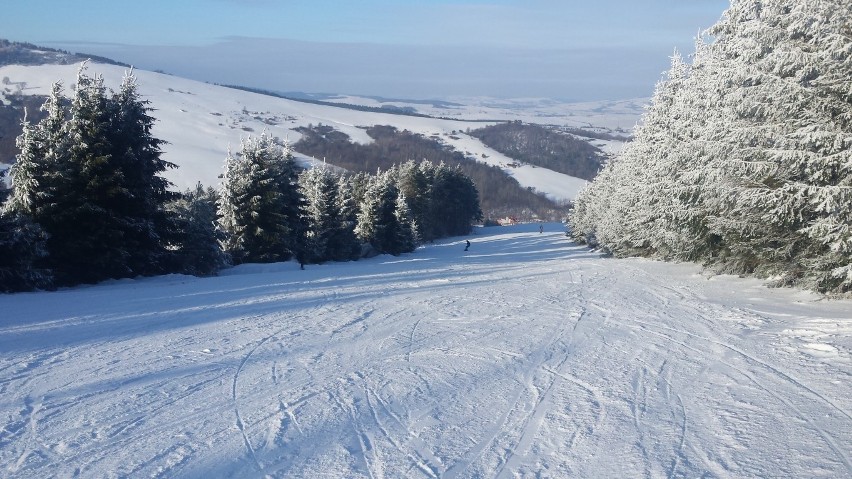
column 260, row 204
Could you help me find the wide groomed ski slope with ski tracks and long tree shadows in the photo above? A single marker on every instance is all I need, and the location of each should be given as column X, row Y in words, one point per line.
column 526, row 356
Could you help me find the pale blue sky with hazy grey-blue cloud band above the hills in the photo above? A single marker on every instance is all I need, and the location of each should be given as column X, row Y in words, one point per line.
column 580, row 50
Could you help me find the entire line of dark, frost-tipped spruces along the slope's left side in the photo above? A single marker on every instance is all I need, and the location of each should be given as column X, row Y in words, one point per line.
column 89, row 202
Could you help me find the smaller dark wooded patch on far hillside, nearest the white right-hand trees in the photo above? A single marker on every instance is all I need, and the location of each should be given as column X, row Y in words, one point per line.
column 541, row 146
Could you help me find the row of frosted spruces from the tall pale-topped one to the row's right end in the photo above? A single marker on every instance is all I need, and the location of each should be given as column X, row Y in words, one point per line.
column 270, row 211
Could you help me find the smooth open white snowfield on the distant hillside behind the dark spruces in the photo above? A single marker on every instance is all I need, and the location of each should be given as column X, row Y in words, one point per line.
column 201, row 121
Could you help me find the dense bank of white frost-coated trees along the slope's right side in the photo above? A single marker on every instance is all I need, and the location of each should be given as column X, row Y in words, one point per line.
column 744, row 159
